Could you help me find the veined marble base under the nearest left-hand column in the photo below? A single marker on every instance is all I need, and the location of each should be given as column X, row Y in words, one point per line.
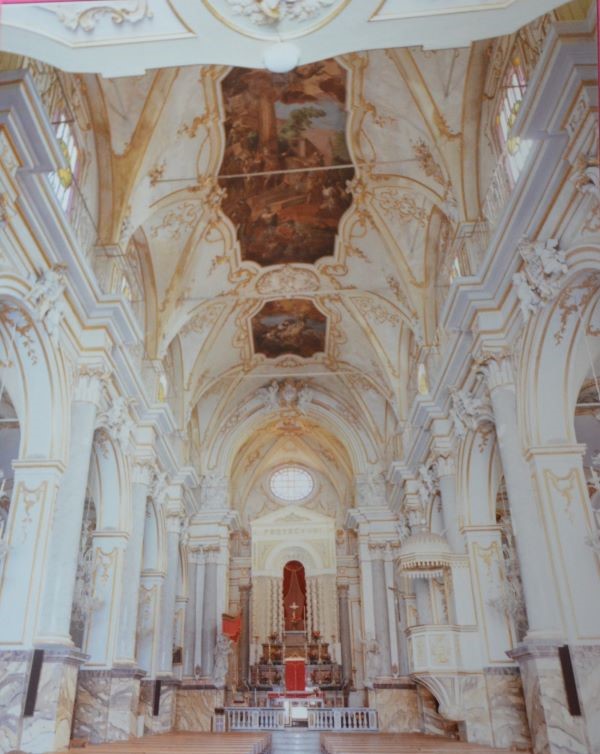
column 49, row 729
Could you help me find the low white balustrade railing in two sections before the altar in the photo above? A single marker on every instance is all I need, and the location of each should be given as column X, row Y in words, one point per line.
column 329, row 718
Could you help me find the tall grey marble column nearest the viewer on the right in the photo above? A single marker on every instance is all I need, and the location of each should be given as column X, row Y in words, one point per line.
column 543, row 610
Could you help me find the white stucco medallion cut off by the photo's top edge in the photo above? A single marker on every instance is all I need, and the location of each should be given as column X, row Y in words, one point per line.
column 275, row 19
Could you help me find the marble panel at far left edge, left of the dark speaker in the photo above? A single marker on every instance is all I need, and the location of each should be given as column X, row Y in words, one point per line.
column 14, row 671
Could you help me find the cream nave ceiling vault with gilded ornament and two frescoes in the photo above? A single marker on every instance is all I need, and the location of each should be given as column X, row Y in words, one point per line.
column 359, row 163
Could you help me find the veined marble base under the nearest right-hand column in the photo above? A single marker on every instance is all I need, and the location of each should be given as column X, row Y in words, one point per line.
column 553, row 729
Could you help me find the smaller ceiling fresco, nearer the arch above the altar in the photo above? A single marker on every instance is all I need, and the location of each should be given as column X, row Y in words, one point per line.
column 289, row 326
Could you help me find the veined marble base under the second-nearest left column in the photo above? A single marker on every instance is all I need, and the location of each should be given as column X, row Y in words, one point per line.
column 106, row 705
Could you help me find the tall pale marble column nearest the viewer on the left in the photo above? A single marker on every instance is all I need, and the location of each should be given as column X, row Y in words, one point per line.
column 57, row 598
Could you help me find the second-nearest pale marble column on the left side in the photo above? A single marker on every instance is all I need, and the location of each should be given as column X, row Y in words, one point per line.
column 143, row 471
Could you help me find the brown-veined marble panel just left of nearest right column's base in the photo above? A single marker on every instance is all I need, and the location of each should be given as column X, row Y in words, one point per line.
column 510, row 729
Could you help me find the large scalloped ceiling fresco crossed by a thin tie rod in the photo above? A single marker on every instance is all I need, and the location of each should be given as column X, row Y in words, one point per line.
column 282, row 166
